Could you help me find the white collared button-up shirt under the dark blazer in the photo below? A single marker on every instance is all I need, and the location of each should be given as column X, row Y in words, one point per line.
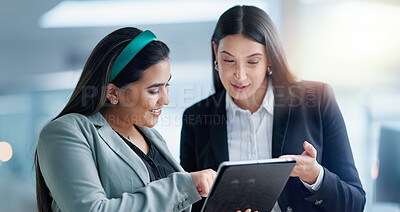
column 250, row 135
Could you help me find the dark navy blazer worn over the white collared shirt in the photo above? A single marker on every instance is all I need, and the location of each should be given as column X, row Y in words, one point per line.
column 302, row 111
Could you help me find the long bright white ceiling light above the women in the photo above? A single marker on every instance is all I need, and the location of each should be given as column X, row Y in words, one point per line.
column 116, row 13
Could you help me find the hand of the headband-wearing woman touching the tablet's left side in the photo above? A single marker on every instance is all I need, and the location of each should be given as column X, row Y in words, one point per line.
column 203, row 180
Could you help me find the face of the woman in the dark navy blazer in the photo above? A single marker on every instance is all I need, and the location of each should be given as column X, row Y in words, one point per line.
column 242, row 67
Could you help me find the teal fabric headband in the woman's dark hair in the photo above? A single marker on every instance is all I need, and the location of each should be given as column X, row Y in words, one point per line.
column 137, row 44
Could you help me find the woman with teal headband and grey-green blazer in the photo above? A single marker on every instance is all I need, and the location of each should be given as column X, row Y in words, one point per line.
column 101, row 153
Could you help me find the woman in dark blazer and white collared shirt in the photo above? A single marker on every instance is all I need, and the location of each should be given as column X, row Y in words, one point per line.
column 260, row 111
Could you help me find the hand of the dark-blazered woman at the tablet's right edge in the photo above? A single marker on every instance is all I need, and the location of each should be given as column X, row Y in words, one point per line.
column 307, row 167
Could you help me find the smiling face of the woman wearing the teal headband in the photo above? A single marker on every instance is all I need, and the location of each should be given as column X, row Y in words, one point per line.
column 140, row 103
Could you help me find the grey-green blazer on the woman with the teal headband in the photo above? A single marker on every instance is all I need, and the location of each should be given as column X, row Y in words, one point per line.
column 88, row 167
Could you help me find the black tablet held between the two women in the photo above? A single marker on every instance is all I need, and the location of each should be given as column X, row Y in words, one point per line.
column 248, row 184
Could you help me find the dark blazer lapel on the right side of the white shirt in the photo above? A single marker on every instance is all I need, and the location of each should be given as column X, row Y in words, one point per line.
column 281, row 118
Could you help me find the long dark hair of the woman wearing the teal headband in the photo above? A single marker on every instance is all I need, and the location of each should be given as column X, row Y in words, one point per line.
column 89, row 95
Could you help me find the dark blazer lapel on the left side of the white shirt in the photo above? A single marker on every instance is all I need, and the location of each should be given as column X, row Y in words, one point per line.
column 217, row 128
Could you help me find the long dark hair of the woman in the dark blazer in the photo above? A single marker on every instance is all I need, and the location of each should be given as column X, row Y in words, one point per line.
column 255, row 24
